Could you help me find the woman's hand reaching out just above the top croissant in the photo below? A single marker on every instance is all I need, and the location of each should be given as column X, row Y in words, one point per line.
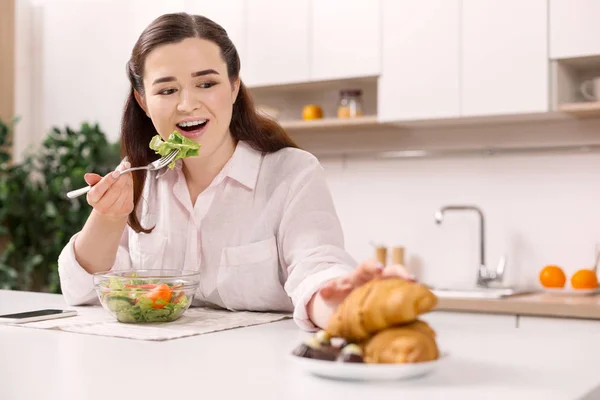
column 336, row 290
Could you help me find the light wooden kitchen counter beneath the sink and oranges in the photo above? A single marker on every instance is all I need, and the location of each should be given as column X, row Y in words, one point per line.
column 538, row 304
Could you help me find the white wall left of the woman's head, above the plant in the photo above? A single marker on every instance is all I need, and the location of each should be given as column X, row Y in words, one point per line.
column 70, row 71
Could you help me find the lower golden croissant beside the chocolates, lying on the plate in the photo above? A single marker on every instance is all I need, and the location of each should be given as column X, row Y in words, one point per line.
column 405, row 344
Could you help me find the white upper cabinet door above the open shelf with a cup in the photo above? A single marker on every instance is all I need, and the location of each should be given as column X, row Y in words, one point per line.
column 574, row 28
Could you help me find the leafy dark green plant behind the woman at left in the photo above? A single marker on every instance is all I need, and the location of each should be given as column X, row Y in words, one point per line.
column 36, row 218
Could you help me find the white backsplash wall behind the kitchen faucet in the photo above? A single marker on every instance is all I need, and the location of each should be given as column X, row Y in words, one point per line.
column 539, row 209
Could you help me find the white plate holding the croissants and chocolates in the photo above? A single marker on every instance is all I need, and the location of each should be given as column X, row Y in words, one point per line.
column 359, row 371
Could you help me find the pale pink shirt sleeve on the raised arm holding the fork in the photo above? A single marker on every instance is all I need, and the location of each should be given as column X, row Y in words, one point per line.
column 76, row 283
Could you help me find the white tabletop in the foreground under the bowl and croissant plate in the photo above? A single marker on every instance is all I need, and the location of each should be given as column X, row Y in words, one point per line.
column 240, row 363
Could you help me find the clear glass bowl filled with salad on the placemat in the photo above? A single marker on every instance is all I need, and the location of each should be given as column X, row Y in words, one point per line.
column 138, row 296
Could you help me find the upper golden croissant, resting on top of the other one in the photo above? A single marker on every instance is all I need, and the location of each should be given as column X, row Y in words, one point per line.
column 377, row 305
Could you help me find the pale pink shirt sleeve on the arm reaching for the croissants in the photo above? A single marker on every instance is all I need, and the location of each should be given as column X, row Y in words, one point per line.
column 312, row 241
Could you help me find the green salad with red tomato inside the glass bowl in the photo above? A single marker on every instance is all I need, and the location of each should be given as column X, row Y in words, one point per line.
column 140, row 301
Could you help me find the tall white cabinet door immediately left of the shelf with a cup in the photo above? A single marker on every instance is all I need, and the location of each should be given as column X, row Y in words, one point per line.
column 504, row 57
